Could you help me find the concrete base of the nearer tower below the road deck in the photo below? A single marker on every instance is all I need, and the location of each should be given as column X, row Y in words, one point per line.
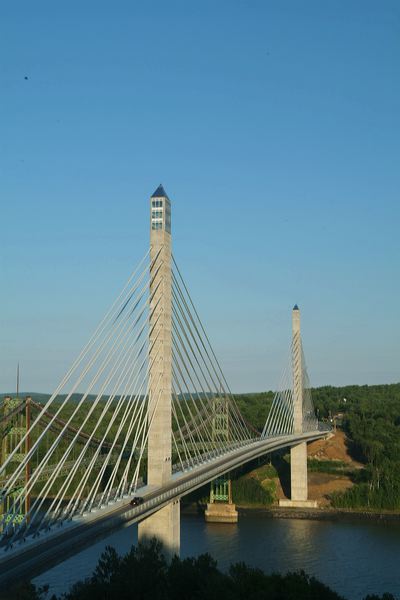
column 165, row 525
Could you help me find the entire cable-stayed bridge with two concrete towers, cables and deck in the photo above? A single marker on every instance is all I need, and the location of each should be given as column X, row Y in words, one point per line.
column 144, row 410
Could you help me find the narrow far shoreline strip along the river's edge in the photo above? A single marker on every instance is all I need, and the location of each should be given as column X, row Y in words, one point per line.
column 312, row 514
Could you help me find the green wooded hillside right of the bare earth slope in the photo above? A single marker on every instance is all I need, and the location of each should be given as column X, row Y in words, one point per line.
column 370, row 416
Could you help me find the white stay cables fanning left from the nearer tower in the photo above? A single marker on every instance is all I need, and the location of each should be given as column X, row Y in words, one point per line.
column 113, row 370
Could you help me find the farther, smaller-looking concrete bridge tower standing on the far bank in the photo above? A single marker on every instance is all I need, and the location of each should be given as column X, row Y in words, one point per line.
column 298, row 453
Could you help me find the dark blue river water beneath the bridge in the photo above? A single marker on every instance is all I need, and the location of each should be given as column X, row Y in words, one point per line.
column 353, row 557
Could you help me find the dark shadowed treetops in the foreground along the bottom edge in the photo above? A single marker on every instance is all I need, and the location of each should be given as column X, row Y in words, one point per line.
column 144, row 573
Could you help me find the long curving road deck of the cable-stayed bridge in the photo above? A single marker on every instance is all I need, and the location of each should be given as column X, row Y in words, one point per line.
column 37, row 554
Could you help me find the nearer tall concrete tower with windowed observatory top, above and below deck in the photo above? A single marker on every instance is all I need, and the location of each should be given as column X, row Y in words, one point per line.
column 164, row 524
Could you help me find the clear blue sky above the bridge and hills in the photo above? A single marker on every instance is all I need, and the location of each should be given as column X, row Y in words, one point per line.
column 274, row 128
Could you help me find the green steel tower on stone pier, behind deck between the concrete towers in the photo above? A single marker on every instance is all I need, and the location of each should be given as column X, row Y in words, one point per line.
column 221, row 509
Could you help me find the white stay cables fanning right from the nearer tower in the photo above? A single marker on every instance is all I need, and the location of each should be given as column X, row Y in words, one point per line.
column 206, row 420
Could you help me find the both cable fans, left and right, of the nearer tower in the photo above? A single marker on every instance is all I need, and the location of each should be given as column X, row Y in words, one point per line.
column 86, row 450
